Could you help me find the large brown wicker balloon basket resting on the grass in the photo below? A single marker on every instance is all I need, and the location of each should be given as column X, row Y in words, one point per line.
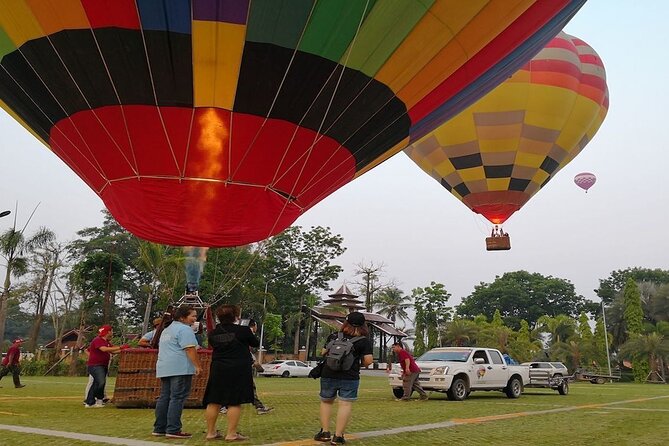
column 137, row 385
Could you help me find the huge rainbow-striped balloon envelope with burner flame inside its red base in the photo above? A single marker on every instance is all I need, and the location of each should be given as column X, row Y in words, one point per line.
column 218, row 122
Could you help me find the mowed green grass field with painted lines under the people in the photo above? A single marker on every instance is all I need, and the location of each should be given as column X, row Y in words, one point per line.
column 620, row 414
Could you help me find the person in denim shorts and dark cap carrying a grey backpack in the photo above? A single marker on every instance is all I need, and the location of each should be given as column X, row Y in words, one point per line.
column 343, row 384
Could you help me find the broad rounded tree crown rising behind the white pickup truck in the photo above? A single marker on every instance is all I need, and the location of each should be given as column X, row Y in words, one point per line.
column 521, row 295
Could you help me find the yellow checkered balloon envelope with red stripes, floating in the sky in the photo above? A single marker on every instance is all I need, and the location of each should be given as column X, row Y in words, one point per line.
column 499, row 152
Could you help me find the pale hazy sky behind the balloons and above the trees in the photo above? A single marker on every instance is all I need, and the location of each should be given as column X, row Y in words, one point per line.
column 399, row 216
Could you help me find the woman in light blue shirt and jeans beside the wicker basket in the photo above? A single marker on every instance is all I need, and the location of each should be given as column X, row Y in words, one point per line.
column 176, row 365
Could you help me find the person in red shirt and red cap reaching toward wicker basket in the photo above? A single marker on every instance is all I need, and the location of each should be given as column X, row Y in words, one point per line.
column 99, row 354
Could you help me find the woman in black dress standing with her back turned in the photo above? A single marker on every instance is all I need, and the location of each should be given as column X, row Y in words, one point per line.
column 230, row 377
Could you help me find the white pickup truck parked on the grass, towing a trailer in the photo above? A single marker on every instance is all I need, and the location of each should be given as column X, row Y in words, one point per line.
column 461, row 370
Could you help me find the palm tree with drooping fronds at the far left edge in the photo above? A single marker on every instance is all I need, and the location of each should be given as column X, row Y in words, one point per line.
column 13, row 248
